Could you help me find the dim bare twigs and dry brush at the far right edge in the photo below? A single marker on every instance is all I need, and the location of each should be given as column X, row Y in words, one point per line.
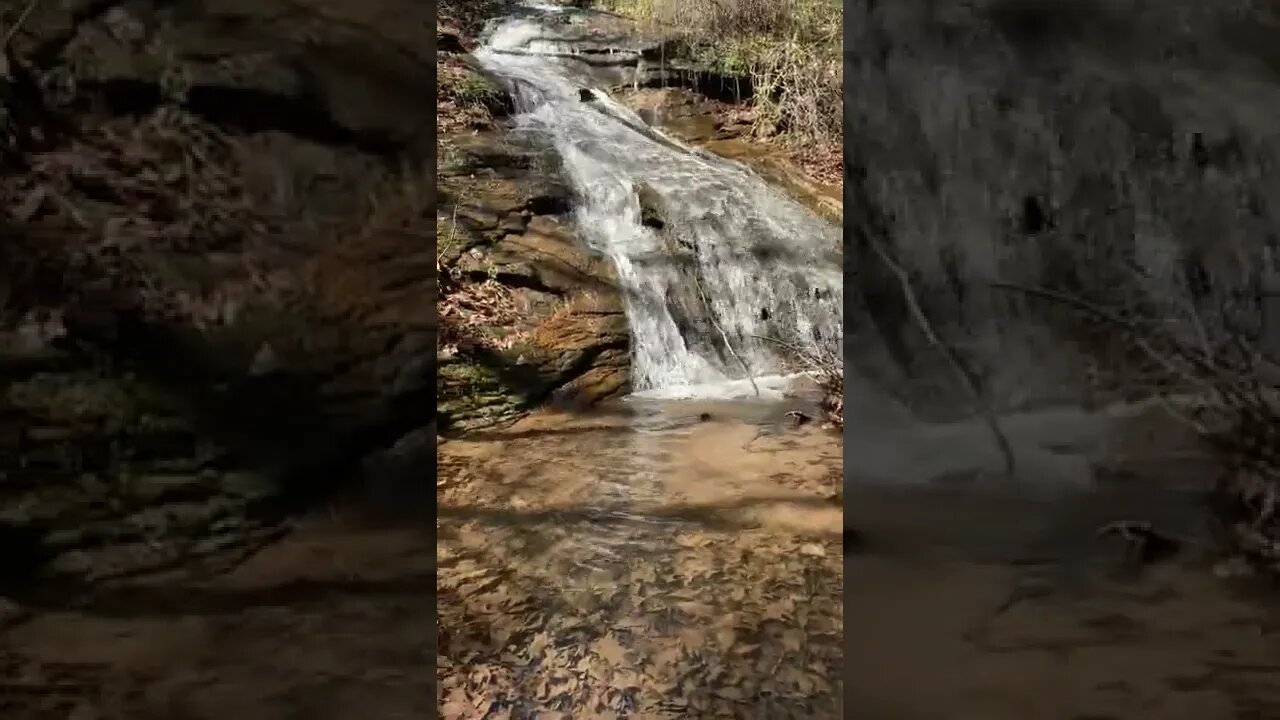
column 1212, row 367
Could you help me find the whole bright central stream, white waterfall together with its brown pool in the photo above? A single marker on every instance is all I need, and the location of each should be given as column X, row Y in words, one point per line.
column 675, row 554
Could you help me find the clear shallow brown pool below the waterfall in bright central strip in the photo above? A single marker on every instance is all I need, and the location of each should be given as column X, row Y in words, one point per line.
column 642, row 564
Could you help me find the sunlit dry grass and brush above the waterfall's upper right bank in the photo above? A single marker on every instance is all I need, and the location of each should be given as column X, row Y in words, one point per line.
column 792, row 51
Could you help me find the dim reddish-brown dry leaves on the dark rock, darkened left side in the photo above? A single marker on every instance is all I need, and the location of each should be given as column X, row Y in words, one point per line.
column 161, row 186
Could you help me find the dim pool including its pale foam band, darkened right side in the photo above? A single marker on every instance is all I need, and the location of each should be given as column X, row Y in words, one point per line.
column 972, row 596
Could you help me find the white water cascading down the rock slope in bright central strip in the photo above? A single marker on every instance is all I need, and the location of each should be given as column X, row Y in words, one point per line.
column 737, row 261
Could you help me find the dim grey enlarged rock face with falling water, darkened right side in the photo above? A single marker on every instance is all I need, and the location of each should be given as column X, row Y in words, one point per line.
column 1049, row 144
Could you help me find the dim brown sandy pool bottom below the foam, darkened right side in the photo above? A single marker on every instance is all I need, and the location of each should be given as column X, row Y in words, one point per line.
column 940, row 631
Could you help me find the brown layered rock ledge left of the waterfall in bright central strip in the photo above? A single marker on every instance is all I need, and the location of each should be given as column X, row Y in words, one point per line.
column 509, row 225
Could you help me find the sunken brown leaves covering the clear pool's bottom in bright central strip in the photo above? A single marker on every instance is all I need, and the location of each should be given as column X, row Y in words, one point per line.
column 550, row 618
